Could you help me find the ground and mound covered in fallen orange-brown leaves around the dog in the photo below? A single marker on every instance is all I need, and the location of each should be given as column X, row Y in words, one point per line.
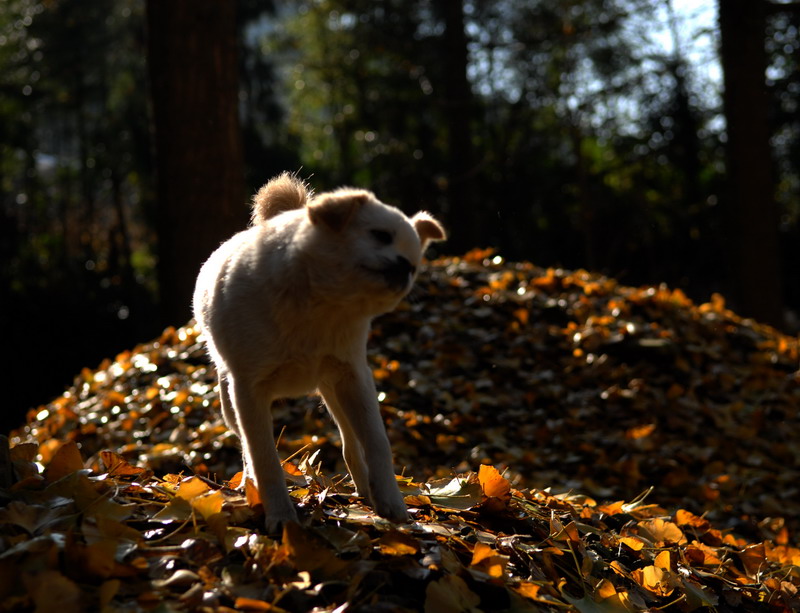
column 569, row 444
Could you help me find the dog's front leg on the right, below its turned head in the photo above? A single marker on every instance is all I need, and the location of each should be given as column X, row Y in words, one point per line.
column 353, row 402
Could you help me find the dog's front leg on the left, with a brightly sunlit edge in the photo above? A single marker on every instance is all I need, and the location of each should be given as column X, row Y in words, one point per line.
column 254, row 416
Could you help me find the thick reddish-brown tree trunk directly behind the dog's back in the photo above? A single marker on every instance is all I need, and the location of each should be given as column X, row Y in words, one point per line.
column 200, row 176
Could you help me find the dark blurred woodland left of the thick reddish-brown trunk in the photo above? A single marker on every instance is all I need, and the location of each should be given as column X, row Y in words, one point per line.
column 75, row 244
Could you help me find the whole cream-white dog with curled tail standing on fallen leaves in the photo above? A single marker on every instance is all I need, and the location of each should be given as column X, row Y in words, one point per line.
column 285, row 307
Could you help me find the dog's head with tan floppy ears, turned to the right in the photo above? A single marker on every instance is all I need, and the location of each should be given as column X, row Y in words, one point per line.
column 374, row 246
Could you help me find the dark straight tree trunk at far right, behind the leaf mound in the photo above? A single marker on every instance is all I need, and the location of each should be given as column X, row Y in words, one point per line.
column 751, row 189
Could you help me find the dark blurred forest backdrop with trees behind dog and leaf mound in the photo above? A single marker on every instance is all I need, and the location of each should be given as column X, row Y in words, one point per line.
column 583, row 134
